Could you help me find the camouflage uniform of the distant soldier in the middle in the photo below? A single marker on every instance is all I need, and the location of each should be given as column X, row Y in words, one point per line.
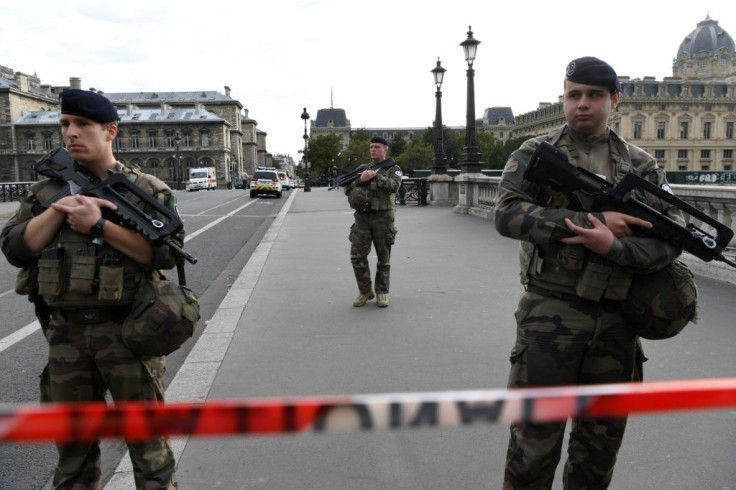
column 375, row 211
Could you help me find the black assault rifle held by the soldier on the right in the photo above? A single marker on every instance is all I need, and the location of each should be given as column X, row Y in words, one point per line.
column 549, row 165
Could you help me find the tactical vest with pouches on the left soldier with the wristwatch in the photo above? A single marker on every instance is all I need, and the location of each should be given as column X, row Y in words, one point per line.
column 75, row 273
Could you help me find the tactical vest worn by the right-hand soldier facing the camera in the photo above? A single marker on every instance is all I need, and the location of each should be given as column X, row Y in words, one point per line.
column 573, row 269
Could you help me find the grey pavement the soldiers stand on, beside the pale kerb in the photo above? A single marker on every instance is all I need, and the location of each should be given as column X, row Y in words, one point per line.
column 287, row 328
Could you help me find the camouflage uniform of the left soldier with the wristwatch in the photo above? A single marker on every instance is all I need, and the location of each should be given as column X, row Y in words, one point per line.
column 87, row 356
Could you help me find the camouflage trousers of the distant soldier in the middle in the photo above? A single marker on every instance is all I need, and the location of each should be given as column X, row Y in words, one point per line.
column 378, row 229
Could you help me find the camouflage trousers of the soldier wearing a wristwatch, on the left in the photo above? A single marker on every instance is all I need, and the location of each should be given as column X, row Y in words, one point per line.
column 84, row 363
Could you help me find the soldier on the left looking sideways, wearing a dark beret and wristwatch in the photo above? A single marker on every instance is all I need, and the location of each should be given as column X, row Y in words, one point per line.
column 82, row 271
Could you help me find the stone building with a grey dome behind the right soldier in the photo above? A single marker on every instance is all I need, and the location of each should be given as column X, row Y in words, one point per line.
column 685, row 121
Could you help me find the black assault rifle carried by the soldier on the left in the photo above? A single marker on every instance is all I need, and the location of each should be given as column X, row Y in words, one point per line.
column 59, row 165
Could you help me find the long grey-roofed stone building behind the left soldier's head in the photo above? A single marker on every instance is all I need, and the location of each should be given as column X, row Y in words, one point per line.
column 164, row 133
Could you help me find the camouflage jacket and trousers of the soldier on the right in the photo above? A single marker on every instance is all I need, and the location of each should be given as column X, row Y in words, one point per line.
column 570, row 330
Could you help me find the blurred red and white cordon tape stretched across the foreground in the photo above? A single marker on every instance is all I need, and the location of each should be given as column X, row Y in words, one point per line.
column 137, row 421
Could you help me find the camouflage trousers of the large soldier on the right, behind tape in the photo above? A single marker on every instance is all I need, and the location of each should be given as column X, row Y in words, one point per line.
column 562, row 342
